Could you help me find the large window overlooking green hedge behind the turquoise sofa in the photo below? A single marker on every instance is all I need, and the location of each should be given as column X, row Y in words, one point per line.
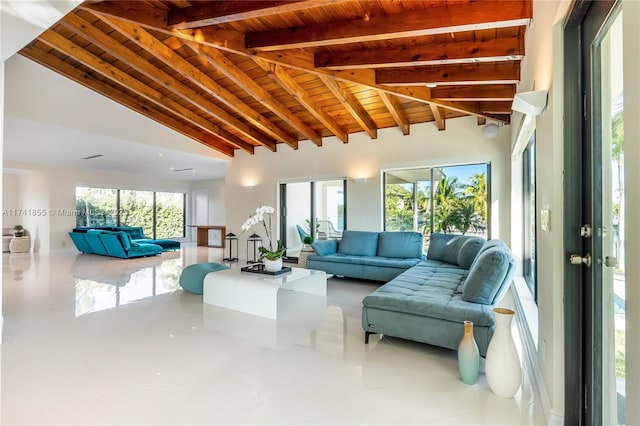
column 160, row 214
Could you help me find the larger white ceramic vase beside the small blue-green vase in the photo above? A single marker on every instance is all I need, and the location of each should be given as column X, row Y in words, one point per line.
column 502, row 367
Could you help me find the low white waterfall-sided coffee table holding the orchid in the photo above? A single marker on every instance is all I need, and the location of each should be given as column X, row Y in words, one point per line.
column 257, row 294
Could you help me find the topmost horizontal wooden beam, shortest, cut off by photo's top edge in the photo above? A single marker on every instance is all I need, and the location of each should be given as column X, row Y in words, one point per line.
column 220, row 12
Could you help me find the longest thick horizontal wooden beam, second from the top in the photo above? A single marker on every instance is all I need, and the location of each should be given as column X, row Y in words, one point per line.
column 432, row 20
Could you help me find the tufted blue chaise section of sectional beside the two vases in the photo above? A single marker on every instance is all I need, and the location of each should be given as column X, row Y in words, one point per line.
column 461, row 280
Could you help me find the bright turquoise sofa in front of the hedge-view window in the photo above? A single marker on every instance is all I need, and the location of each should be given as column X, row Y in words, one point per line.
column 119, row 241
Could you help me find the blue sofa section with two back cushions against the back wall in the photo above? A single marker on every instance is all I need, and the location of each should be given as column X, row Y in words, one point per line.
column 376, row 256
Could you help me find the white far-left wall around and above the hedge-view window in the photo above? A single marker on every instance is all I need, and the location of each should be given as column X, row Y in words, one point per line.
column 47, row 191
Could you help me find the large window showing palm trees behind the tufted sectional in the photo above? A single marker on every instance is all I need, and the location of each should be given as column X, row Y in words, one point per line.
column 451, row 199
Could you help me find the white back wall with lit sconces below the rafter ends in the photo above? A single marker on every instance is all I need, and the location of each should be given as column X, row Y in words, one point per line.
column 462, row 142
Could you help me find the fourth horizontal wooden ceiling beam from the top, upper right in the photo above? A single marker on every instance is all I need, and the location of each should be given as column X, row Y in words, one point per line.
column 482, row 73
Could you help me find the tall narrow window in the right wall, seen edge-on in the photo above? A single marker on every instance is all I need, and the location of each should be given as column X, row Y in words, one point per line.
column 529, row 212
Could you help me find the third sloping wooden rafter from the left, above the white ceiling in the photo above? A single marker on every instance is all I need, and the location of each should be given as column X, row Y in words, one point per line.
column 117, row 50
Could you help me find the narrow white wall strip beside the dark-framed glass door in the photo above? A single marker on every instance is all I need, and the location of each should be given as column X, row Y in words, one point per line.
column 542, row 70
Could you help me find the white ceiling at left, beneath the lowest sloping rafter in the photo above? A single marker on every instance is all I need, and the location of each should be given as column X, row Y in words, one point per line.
column 52, row 120
